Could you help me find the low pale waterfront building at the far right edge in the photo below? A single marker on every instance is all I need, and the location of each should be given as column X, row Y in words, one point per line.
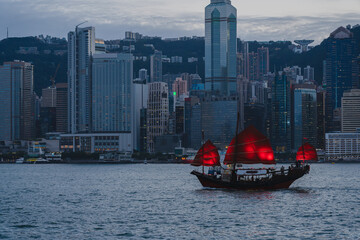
column 342, row 146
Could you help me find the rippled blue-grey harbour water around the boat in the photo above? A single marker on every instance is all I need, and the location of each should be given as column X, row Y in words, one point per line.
column 165, row 202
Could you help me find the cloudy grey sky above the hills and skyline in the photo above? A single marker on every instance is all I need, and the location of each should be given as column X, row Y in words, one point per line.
column 260, row 20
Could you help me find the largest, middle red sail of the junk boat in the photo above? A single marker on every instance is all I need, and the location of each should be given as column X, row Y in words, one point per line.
column 250, row 147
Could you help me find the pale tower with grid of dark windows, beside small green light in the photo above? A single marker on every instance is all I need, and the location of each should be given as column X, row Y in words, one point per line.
column 157, row 112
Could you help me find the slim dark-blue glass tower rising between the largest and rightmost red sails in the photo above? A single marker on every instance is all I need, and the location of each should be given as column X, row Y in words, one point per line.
column 281, row 113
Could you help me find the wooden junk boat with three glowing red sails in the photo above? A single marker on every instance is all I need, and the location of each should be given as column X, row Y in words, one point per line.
column 249, row 147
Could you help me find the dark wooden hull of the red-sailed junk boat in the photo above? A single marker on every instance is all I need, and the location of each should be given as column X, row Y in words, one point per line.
column 277, row 181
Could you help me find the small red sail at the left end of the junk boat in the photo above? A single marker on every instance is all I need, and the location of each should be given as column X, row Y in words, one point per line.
column 207, row 156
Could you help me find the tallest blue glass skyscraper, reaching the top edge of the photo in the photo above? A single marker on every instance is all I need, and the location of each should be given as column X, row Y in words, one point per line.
column 220, row 47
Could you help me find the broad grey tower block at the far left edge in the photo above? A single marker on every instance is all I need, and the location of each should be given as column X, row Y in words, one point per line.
column 17, row 101
